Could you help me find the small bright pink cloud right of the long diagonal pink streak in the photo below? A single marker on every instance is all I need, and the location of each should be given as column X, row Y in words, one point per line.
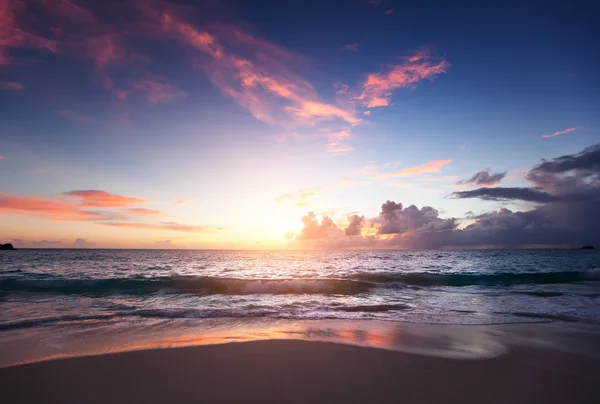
column 377, row 89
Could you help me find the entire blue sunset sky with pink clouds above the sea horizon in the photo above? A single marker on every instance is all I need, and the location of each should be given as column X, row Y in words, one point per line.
column 352, row 124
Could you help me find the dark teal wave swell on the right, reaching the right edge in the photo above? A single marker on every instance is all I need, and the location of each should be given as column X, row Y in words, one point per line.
column 425, row 279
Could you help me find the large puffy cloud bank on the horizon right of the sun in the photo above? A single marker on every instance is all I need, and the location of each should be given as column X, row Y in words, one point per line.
column 566, row 190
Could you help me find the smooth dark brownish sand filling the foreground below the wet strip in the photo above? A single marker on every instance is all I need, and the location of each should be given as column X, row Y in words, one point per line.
column 288, row 371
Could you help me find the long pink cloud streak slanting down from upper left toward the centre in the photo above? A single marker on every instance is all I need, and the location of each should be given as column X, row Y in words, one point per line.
column 260, row 81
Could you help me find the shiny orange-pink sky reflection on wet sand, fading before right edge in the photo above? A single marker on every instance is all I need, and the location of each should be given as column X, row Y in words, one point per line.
column 100, row 337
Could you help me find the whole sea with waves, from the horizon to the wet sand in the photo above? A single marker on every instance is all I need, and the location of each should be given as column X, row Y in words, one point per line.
column 43, row 287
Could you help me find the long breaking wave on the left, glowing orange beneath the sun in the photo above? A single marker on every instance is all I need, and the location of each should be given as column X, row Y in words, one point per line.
column 186, row 285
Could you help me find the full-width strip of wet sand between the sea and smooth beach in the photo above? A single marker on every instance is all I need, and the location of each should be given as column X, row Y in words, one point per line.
column 466, row 342
